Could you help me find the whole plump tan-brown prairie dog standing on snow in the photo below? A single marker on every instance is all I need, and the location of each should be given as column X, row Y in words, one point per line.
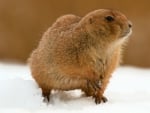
column 80, row 52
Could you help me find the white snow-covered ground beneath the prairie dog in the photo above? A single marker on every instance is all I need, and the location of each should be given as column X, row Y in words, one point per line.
column 128, row 92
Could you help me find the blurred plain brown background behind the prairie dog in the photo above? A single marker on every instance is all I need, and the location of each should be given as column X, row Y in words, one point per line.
column 22, row 23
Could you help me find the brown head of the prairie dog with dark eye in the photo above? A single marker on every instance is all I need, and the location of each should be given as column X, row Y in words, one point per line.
column 107, row 25
